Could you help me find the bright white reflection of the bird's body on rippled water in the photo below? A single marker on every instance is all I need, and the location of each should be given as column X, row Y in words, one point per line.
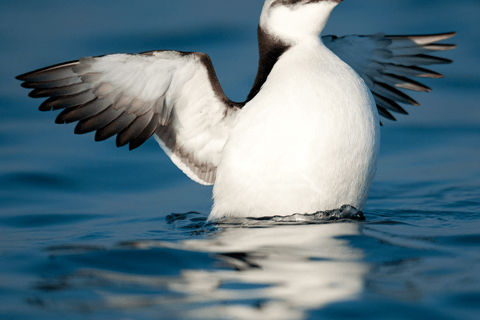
column 300, row 267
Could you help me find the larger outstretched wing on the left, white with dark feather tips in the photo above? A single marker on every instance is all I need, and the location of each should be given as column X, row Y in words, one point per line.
column 174, row 95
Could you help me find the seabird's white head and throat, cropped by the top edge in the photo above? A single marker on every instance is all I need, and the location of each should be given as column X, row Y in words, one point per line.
column 296, row 19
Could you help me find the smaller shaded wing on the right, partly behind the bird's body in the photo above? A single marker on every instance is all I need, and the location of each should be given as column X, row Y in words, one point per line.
column 386, row 64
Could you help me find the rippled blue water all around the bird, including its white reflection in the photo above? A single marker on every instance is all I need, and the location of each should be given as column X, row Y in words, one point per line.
column 89, row 231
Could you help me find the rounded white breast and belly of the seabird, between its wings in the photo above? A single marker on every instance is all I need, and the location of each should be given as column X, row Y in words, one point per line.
column 307, row 142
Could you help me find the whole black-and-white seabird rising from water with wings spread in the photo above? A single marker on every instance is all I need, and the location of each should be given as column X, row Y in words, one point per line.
column 305, row 140
